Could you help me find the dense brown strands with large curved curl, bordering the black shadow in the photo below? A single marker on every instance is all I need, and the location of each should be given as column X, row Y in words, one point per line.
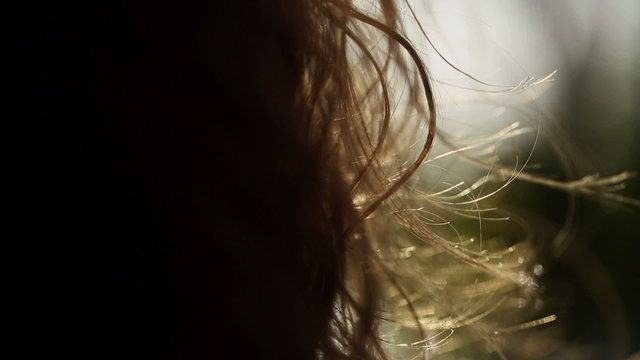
column 345, row 105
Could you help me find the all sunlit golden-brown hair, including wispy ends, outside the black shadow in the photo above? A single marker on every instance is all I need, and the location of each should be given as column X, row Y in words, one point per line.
column 405, row 286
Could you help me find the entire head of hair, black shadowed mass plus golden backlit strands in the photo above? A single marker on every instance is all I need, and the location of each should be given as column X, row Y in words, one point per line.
column 192, row 173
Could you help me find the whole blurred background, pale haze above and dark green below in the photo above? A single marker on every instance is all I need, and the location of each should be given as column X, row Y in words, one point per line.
column 590, row 112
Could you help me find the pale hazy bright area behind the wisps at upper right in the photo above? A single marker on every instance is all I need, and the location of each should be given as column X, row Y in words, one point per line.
column 592, row 44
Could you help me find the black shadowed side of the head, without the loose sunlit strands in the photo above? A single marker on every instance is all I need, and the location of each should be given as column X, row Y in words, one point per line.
column 187, row 185
